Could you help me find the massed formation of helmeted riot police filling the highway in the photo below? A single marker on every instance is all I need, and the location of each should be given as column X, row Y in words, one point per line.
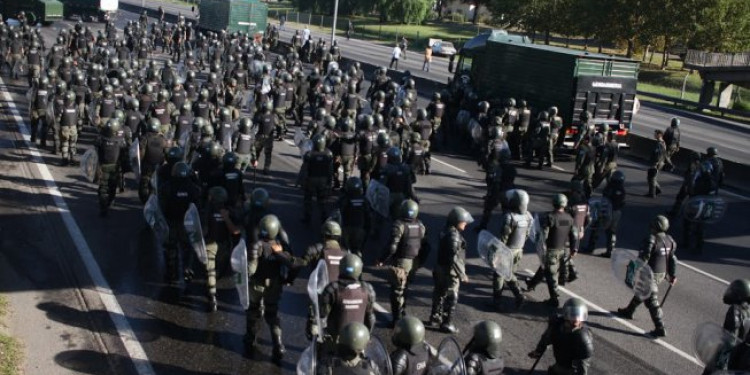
column 208, row 112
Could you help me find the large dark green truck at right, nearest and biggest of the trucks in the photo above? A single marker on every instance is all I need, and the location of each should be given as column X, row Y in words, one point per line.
column 498, row 66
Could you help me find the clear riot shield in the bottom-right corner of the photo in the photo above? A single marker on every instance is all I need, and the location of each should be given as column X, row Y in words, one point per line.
column 713, row 345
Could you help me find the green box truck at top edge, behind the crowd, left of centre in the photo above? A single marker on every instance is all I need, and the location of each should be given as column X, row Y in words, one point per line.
column 249, row 16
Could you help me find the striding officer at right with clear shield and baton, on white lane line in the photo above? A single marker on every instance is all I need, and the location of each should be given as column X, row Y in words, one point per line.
column 658, row 251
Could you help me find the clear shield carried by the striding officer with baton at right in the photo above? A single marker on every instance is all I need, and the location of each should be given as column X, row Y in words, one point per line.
column 631, row 272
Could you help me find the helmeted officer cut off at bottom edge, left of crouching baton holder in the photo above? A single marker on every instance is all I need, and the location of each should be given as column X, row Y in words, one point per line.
column 484, row 354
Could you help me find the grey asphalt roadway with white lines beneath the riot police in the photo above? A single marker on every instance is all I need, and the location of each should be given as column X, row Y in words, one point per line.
column 162, row 329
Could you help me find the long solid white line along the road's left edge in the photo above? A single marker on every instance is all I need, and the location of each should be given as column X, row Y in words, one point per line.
column 102, row 288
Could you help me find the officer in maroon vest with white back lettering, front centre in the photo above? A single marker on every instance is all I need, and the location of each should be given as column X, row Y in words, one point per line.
column 347, row 299
